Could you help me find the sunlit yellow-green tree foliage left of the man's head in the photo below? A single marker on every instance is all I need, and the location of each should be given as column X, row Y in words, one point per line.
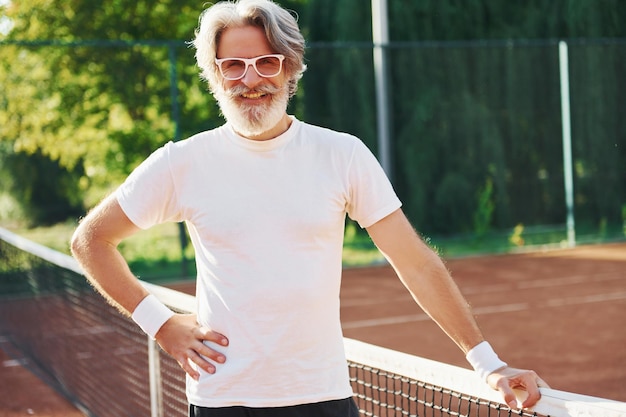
column 98, row 110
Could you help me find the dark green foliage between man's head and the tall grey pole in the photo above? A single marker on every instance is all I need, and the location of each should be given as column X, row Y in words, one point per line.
column 339, row 82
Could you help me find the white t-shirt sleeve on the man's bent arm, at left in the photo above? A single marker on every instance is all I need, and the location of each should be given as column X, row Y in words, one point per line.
column 147, row 196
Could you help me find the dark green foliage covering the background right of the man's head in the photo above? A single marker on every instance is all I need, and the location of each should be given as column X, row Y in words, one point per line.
column 464, row 111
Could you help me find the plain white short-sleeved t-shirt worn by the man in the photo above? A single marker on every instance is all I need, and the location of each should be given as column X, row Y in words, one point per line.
column 266, row 219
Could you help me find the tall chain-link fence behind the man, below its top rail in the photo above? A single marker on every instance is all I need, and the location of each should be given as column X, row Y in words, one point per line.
column 476, row 127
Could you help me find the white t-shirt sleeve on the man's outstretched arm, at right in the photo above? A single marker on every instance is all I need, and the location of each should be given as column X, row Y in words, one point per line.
column 371, row 195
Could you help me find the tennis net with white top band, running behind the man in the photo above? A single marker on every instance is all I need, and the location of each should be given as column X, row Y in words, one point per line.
column 106, row 366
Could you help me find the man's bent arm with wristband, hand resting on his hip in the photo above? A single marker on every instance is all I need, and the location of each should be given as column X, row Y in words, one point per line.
column 95, row 247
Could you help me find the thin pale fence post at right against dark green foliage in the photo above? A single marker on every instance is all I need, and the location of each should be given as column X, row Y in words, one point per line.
column 567, row 143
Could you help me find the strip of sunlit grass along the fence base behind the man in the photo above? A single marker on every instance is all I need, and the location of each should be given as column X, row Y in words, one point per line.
column 155, row 254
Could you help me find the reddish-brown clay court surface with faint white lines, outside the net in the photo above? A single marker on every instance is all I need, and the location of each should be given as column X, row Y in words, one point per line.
column 561, row 312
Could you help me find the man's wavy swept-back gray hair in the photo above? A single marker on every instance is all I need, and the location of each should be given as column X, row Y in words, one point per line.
column 280, row 27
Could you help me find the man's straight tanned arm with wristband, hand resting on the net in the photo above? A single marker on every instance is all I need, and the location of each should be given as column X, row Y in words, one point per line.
column 424, row 274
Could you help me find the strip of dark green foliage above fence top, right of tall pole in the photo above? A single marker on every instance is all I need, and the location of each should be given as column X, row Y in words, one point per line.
column 439, row 20
